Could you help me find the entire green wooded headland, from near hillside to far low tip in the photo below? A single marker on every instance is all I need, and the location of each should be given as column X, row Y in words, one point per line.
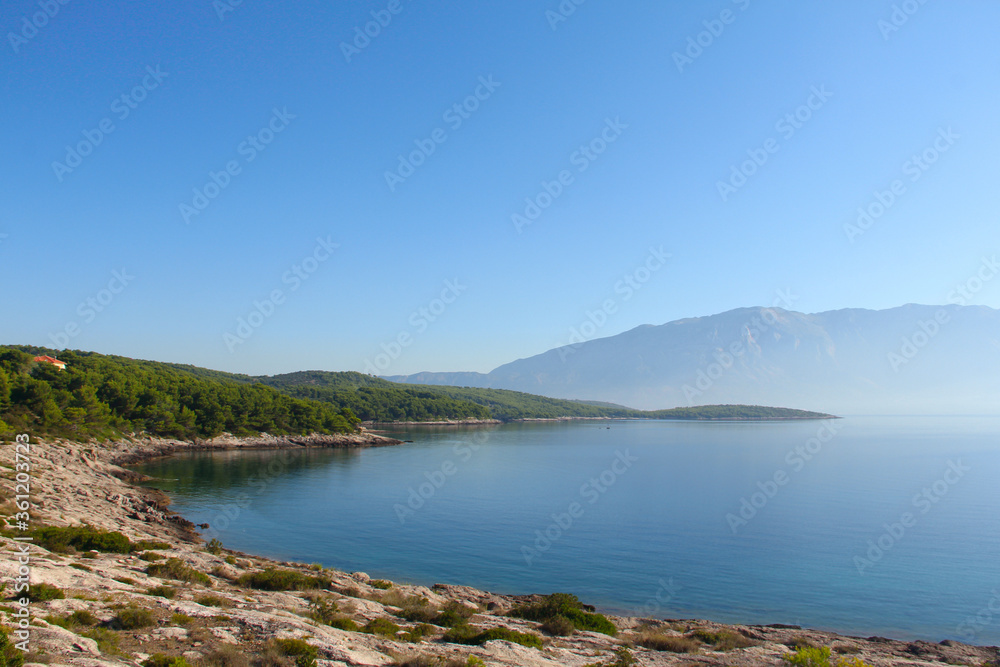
column 103, row 396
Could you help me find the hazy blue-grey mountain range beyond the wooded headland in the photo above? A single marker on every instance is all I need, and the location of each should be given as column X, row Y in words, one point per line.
column 909, row 360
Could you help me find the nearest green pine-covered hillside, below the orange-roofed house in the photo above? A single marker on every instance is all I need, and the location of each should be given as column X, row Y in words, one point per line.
column 101, row 396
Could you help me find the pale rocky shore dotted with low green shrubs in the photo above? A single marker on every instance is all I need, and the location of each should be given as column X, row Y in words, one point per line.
column 177, row 597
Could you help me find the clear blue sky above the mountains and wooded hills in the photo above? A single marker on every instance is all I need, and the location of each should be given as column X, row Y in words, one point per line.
column 661, row 124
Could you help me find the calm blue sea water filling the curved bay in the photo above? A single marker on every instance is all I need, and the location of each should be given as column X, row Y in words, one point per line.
column 866, row 526
